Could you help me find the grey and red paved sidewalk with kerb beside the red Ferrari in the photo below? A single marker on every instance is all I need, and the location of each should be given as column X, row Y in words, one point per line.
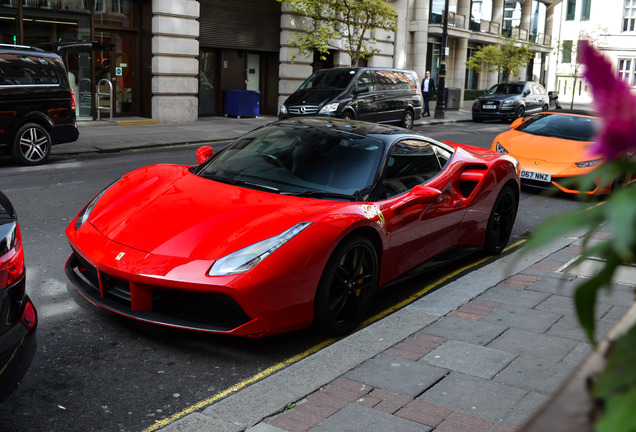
column 482, row 353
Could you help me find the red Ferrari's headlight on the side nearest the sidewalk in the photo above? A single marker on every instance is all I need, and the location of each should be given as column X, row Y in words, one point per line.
column 247, row 258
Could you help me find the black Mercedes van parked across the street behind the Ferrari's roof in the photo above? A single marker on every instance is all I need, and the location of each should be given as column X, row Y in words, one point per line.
column 379, row 95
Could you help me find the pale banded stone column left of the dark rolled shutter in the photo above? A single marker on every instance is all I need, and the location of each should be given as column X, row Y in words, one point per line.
column 175, row 67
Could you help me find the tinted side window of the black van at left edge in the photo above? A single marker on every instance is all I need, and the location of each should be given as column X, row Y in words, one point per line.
column 25, row 69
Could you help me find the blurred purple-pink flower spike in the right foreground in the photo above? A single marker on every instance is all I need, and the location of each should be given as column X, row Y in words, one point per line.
column 615, row 104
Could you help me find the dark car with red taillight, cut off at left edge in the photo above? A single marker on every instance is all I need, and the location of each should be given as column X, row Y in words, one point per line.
column 18, row 318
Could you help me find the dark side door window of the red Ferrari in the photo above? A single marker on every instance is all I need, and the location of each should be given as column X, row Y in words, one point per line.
column 411, row 163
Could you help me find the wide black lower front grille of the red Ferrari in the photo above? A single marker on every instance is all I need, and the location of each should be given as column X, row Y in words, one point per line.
column 208, row 310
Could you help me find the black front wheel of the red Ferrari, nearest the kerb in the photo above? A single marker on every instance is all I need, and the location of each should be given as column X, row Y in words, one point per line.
column 346, row 287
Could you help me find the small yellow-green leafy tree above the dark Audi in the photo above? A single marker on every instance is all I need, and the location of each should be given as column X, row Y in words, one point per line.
column 505, row 58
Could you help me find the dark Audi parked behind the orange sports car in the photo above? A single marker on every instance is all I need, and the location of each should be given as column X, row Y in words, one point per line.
column 511, row 100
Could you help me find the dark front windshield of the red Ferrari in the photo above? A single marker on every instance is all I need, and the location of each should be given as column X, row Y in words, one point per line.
column 299, row 160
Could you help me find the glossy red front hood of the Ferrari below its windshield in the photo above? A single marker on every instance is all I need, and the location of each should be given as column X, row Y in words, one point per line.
column 166, row 210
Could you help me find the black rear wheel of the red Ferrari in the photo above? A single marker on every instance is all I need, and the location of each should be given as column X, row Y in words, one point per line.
column 501, row 220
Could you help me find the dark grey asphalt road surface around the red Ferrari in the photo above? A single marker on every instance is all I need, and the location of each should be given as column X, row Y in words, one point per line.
column 96, row 371
